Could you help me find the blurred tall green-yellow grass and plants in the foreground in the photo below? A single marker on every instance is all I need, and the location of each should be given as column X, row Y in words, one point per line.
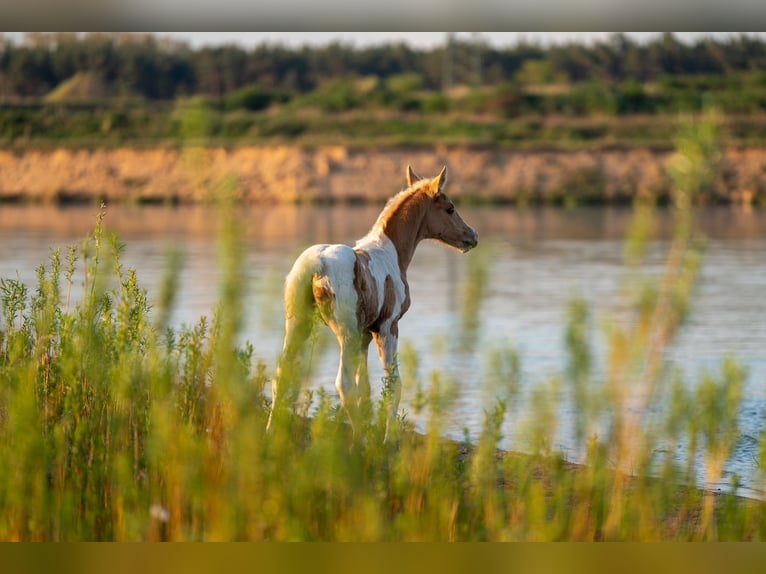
column 117, row 425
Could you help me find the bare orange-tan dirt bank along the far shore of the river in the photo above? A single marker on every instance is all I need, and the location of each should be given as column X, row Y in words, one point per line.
column 340, row 174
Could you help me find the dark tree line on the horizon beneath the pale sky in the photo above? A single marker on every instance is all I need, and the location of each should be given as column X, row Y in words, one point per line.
column 156, row 68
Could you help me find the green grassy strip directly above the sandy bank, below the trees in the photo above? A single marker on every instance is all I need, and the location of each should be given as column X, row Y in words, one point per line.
column 113, row 125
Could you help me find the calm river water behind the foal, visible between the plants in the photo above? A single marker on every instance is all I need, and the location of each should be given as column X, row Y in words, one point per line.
column 538, row 260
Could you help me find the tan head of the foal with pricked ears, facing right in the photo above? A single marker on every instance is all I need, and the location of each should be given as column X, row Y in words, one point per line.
column 442, row 221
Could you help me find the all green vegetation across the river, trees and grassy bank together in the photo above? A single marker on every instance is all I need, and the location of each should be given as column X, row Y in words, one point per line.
column 117, row 88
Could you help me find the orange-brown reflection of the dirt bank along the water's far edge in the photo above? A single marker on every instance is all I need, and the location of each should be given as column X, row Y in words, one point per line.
column 275, row 223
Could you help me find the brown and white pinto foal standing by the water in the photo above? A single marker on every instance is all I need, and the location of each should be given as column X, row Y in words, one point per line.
column 361, row 292
